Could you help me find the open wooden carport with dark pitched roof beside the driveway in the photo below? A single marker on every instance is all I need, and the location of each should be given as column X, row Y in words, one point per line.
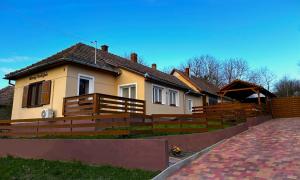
column 241, row 90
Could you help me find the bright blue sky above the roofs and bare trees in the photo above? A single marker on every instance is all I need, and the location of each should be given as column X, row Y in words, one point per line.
column 265, row 33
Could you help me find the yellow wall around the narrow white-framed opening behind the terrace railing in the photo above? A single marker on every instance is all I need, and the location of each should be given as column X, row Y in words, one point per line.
column 103, row 82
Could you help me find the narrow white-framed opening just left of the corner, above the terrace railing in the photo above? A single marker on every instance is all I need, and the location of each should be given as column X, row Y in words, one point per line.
column 85, row 84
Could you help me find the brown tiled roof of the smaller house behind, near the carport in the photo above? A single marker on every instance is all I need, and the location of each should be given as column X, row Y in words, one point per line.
column 201, row 84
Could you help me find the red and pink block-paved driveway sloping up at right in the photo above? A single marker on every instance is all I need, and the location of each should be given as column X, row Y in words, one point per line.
column 267, row 151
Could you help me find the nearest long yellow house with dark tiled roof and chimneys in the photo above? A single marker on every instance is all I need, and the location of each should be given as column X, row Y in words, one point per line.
column 76, row 71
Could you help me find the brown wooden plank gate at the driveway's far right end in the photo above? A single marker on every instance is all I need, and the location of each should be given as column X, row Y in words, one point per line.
column 285, row 107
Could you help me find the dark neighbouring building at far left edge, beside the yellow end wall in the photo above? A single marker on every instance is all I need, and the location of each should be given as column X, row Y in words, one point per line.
column 6, row 100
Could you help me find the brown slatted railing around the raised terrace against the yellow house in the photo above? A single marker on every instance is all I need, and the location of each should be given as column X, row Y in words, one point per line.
column 96, row 103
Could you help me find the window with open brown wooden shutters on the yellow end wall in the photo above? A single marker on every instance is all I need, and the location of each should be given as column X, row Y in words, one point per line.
column 36, row 94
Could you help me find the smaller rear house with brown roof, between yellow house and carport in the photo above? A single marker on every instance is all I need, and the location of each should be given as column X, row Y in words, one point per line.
column 209, row 91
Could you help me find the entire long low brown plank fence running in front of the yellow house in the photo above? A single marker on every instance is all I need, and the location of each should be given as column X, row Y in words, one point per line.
column 116, row 124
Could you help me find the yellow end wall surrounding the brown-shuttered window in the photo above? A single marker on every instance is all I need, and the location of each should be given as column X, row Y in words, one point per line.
column 58, row 76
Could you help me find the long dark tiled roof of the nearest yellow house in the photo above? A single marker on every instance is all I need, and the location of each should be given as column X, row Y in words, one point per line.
column 84, row 54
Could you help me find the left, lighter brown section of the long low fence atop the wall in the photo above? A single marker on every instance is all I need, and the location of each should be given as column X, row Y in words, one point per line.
column 66, row 126
